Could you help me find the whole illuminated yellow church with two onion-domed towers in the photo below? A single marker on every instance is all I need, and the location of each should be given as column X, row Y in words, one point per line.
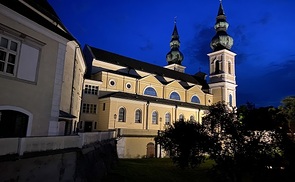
column 139, row 99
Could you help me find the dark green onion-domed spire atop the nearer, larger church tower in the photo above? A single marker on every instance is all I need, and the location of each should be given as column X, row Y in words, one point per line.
column 221, row 40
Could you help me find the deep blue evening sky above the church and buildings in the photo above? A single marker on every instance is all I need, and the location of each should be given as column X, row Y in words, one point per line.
column 263, row 33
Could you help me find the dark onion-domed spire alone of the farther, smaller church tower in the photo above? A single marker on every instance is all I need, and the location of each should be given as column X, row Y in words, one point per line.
column 174, row 56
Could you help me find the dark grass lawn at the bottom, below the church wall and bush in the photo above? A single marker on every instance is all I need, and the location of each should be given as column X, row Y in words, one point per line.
column 147, row 170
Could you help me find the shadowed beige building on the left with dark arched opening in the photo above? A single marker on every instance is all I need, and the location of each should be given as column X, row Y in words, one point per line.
column 41, row 71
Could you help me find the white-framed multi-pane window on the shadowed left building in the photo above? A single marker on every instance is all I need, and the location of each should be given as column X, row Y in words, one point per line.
column 8, row 55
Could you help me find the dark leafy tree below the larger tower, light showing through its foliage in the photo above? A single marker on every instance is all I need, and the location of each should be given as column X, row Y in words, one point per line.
column 236, row 148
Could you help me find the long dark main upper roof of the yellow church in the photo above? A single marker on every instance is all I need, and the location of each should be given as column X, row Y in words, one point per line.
column 113, row 58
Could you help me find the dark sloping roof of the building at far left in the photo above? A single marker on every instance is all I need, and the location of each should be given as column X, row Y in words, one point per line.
column 44, row 8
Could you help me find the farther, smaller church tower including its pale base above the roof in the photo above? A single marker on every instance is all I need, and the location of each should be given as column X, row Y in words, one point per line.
column 174, row 57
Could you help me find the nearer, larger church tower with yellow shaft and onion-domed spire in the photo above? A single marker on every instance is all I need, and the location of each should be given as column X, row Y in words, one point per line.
column 222, row 79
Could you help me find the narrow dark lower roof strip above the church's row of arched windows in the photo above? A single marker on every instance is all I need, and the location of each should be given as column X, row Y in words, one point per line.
column 130, row 96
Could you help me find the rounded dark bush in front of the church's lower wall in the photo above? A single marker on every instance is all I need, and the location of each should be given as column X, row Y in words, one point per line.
column 186, row 143
